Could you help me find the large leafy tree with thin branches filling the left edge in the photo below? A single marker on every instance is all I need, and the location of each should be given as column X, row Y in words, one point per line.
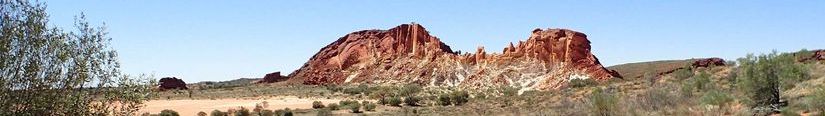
column 47, row 71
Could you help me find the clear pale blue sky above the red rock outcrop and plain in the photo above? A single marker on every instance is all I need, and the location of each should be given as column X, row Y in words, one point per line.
column 223, row 40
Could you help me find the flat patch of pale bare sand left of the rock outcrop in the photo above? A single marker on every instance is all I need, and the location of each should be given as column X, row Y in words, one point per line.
column 192, row 107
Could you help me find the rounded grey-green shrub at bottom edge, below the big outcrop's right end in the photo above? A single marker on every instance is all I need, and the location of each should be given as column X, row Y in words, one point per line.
column 603, row 103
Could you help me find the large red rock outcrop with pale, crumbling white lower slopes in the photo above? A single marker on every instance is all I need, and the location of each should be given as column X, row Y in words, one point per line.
column 408, row 54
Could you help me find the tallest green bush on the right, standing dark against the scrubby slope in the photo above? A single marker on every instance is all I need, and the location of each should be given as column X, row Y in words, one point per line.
column 762, row 77
